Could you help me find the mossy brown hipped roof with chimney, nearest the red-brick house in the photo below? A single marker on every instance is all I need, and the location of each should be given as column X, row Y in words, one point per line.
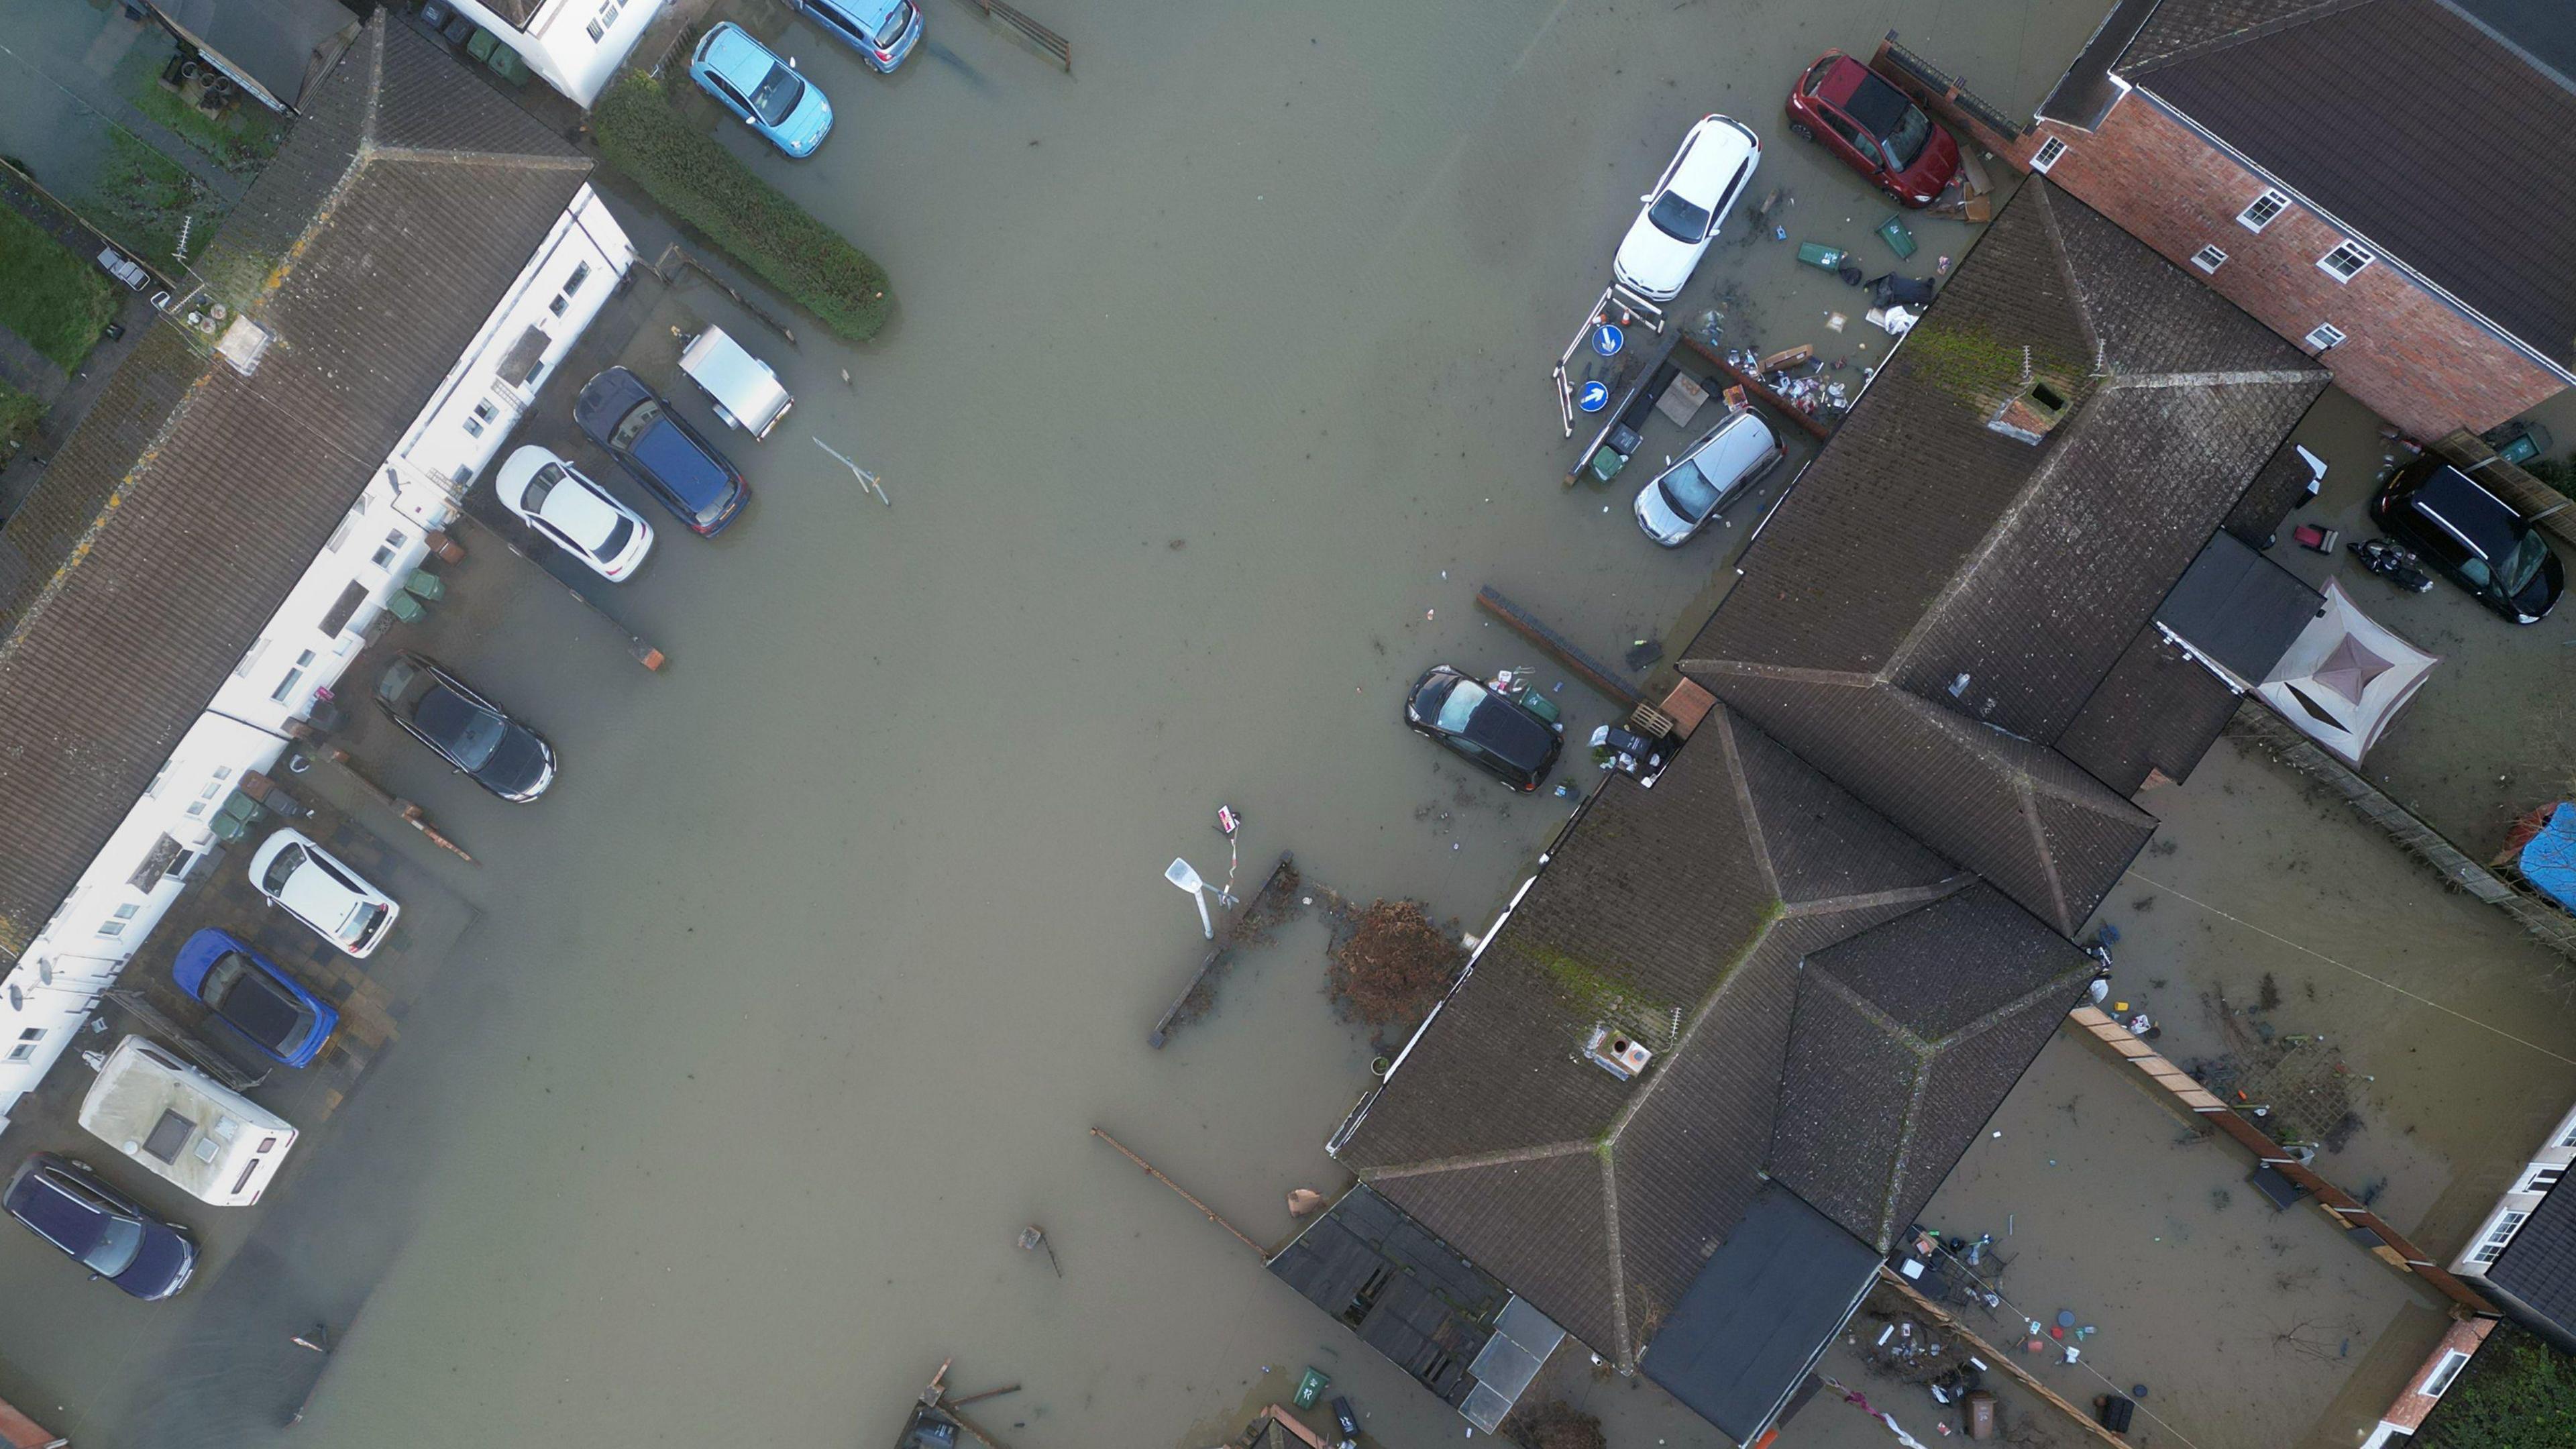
column 1923, row 548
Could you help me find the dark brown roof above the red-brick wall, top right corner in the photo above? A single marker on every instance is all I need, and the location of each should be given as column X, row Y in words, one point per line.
column 2418, row 128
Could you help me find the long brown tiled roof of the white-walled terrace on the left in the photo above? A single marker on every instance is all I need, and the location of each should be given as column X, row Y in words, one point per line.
column 151, row 556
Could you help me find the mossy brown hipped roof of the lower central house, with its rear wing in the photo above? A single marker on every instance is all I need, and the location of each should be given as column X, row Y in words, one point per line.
column 1694, row 901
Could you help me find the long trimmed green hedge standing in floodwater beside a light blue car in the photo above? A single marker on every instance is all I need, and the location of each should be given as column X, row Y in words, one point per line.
column 710, row 190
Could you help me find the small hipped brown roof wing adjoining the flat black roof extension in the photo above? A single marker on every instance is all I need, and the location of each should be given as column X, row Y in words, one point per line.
column 1900, row 1056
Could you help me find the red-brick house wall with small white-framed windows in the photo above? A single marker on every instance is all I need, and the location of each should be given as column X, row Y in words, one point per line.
column 2407, row 352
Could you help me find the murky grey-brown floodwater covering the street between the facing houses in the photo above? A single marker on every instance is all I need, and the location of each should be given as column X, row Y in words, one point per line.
column 1217, row 391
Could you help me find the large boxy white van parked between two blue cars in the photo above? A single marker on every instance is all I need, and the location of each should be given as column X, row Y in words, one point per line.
column 184, row 1125
